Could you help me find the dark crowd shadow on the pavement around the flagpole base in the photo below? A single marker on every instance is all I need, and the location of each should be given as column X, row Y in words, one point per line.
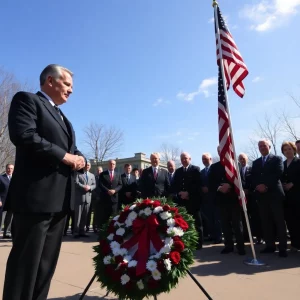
column 216, row 264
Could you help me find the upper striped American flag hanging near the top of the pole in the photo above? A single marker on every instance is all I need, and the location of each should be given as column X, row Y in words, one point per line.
column 234, row 67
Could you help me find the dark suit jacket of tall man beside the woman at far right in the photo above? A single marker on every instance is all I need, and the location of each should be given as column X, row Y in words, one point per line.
column 269, row 175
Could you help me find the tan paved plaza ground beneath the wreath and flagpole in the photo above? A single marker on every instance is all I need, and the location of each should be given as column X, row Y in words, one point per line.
column 225, row 277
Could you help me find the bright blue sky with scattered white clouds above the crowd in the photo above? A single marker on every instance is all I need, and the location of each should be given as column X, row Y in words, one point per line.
column 134, row 59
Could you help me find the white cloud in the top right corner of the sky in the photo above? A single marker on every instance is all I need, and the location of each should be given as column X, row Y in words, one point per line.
column 269, row 14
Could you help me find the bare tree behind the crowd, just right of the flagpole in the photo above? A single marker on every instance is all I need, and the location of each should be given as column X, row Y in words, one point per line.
column 270, row 129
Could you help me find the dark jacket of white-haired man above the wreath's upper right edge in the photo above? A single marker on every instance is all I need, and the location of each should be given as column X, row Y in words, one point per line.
column 189, row 181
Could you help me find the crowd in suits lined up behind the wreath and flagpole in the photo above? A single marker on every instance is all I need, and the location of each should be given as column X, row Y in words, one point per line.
column 271, row 186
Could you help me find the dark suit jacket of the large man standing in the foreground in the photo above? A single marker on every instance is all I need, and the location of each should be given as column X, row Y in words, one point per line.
column 41, row 183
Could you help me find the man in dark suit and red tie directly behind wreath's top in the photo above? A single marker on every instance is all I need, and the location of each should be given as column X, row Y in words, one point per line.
column 154, row 181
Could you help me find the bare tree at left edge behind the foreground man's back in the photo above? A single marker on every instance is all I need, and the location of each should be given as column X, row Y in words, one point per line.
column 9, row 85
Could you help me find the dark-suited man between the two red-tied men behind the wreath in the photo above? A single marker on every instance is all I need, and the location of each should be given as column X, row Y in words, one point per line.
column 128, row 192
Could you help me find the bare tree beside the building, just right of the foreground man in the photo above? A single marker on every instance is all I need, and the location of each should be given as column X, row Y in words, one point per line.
column 103, row 142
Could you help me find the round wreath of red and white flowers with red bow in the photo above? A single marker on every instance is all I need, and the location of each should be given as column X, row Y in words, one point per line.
column 145, row 249
